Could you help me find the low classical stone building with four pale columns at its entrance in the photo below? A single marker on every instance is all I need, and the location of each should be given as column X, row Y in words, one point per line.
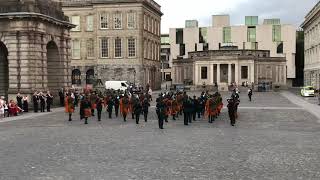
column 230, row 65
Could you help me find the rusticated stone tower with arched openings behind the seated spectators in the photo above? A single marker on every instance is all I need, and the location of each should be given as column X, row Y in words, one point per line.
column 34, row 47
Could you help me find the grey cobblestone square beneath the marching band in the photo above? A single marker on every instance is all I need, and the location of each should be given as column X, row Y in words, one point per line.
column 273, row 139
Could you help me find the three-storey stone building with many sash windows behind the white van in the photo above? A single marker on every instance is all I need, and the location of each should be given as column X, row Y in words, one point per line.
column 115, row 40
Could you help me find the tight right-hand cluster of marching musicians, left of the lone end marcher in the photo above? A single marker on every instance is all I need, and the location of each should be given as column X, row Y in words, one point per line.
column 175, row 104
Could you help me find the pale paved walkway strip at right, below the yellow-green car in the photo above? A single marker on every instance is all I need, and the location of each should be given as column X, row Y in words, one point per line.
column 312, row 108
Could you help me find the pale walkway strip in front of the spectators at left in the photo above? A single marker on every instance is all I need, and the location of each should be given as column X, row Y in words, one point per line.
column 30, row 115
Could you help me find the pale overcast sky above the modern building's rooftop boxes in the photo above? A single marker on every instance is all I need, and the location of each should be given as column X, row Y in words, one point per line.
column 177, row 11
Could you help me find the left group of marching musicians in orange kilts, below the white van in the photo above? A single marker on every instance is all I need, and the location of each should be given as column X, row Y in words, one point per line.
column 119, row 101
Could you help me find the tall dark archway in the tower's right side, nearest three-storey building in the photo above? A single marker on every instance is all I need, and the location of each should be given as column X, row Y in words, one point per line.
column 54, row 67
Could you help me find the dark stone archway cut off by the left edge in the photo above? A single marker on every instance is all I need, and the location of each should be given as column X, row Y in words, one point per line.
column 4, row 70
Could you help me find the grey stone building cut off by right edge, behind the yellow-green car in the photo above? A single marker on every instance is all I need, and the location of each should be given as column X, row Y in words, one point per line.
column 311, row 27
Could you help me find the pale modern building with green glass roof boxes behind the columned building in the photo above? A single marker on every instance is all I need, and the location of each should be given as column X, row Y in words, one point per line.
column 279, row 39
